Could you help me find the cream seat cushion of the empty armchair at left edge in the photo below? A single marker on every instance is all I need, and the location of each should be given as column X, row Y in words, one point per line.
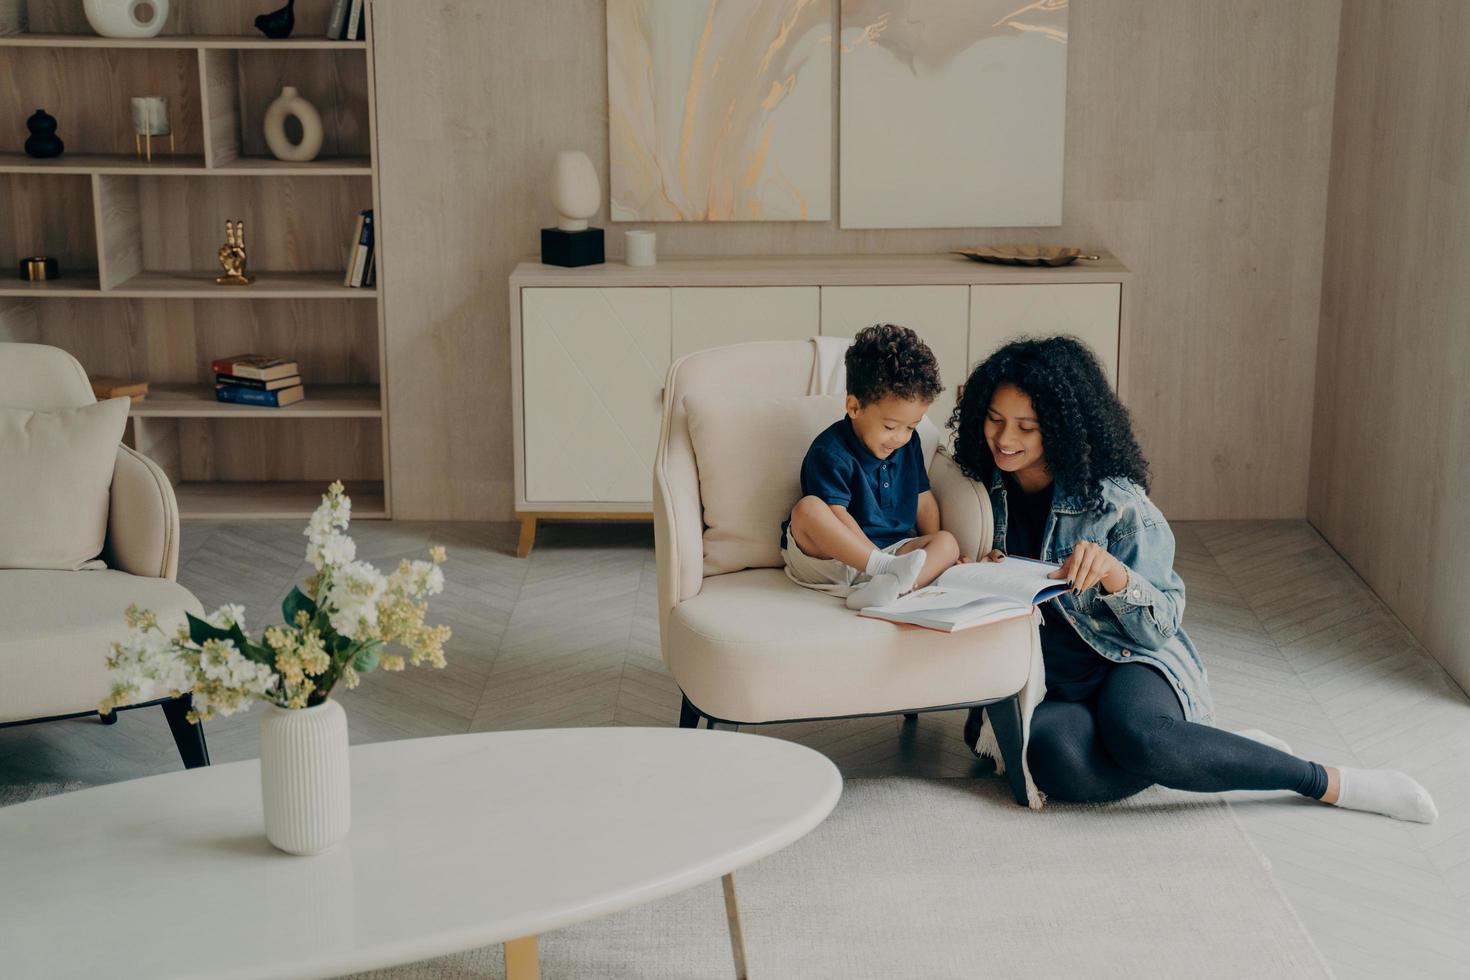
column 58, row 631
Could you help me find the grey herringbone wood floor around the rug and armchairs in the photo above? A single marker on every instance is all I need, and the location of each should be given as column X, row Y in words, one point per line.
column 1294, row 641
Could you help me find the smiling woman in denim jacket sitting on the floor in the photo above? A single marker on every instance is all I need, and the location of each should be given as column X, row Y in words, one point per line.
column 1128, row 702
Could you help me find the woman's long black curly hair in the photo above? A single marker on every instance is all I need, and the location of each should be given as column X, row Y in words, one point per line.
column 1087, row 433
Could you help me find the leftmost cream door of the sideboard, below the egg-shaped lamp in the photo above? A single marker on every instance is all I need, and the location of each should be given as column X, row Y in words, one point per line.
column 595, row 365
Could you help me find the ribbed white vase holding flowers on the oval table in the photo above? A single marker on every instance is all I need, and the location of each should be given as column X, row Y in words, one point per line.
column 304, row 777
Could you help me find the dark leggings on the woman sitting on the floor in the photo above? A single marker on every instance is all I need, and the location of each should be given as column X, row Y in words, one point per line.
column 1133, row 734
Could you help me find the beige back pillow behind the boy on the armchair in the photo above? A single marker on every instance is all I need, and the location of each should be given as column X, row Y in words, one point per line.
column 749, row 458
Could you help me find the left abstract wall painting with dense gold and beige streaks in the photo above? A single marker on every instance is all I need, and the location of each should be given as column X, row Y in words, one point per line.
column 720, row 112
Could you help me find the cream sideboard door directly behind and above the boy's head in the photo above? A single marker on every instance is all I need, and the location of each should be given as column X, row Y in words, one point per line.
column 939, row 315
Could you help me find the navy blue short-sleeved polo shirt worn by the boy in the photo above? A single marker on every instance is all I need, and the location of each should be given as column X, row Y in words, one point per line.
column 883, row 496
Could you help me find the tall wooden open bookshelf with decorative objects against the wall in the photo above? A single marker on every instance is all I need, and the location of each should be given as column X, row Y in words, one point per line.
column 137, row 245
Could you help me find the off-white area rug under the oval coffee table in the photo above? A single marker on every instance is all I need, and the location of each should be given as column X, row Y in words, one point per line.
column 947, row 878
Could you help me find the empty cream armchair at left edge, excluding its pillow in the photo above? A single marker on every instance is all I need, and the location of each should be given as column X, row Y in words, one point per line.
column 58, row 625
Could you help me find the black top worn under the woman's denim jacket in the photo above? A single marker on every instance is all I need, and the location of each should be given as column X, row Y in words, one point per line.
column 1074, row 669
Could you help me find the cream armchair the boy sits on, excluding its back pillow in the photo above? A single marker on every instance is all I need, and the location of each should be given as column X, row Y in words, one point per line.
column 752, row 649
